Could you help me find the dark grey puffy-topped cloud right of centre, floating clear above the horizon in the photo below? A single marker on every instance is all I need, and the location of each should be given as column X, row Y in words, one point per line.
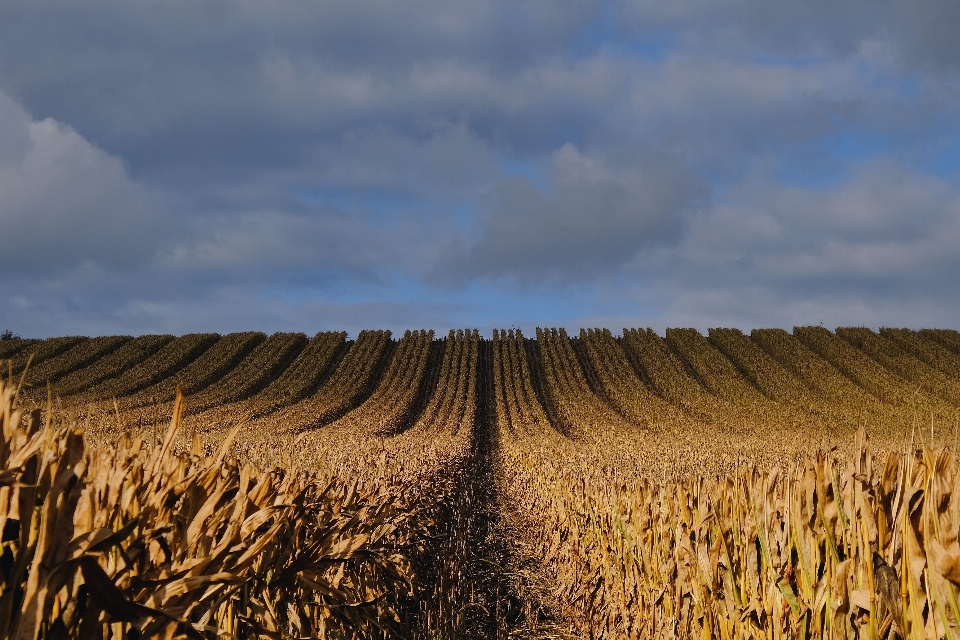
column 594, row 215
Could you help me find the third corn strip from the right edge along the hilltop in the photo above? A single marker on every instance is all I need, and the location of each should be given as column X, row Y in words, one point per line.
column 888, row 353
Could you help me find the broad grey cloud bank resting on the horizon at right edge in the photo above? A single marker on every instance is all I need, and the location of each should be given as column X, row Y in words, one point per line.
column 880, row 248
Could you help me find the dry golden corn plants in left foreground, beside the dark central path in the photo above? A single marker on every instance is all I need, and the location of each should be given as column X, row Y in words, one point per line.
column 133, row 540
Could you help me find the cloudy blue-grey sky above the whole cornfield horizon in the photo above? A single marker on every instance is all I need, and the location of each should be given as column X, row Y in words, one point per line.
column 172, row 167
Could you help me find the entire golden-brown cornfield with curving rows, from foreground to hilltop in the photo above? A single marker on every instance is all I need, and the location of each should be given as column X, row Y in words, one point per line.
column 723, row 486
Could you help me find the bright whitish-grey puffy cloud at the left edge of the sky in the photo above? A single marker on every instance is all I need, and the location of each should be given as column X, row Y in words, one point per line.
column 64, row 202
